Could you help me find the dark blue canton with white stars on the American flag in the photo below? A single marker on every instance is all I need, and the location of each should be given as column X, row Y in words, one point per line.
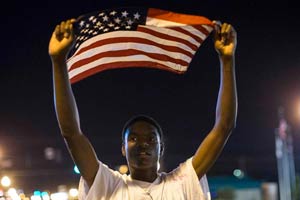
column 96, row 23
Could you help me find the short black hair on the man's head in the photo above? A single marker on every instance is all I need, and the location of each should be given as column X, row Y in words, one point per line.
column 145, row 118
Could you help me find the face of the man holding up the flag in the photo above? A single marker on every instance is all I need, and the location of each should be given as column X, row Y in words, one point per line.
column 142, row 145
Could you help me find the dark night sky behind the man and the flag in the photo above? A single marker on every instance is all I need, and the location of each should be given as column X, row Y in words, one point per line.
column 267, row 72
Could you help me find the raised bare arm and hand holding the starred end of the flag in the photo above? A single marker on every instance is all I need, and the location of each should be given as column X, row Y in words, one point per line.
column 79, row 147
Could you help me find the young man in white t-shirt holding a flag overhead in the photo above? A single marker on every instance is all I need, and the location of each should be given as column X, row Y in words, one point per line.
column 142, row 136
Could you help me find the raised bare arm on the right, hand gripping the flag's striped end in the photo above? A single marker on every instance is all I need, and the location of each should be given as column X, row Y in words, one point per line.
column 226, row 110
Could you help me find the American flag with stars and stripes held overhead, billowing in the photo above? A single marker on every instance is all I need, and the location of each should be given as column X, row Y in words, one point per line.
column 135, row 37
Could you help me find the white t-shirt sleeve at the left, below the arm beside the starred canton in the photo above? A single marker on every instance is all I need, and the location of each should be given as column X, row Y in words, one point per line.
column 105, row 181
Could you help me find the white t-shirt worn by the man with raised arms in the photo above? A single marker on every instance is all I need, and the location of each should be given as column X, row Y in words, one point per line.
column 180, row 184
